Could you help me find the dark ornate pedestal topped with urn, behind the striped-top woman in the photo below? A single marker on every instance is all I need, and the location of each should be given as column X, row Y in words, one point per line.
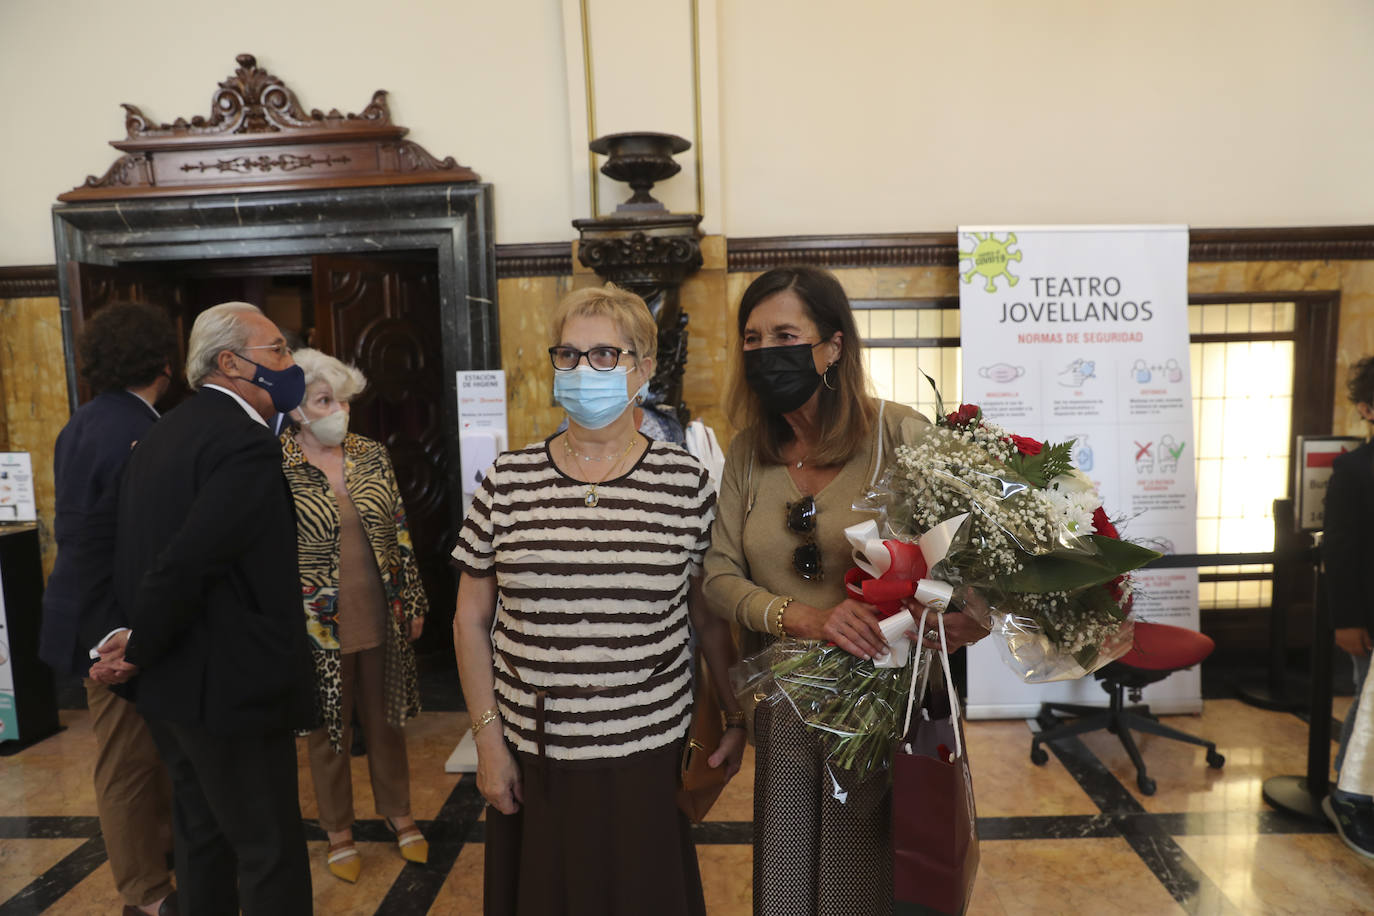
column 648, row 251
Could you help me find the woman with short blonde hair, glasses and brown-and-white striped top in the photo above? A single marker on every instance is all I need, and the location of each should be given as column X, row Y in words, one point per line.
column 581, row 566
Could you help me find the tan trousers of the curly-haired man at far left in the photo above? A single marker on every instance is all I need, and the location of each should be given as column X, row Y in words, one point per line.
column 134, row 797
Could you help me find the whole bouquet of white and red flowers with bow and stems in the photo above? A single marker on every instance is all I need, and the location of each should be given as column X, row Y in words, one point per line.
column 998, row 525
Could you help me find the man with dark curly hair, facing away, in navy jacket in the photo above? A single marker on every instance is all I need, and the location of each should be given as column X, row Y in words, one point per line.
column 126, row 355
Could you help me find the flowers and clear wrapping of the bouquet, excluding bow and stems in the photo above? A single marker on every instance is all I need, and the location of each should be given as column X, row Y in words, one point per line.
column 1041, row 562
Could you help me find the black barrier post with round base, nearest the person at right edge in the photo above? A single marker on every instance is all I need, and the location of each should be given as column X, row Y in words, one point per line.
column 1302, row 796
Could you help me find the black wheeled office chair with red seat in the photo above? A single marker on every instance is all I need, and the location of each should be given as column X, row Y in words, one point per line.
column 1158, row 652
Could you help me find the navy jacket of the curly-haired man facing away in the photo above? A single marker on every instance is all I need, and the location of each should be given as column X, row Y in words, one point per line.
column 79, row 606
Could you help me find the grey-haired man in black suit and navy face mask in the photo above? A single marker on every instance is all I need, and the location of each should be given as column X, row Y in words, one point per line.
column 207, row 566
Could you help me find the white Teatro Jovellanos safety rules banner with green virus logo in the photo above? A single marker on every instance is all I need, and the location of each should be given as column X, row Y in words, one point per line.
column 1082, row 333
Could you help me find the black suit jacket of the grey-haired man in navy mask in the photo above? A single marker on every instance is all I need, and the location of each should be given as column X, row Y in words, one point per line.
column 207, row 569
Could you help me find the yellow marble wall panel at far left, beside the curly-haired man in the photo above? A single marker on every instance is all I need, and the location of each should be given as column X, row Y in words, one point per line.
column 35, row 391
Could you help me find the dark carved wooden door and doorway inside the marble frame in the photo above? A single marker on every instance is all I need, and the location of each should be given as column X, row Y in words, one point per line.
column 377, row 312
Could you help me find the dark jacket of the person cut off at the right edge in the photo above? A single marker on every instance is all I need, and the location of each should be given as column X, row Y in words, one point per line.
column 1349, row 546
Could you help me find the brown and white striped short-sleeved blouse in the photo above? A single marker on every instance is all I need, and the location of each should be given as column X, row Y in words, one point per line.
column 592, row 601
